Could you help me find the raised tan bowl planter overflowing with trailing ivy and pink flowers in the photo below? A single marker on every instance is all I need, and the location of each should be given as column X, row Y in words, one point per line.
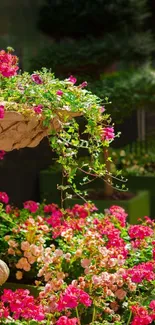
column 38, row 105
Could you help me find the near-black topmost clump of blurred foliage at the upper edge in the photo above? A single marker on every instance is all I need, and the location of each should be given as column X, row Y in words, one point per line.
column 78, row 19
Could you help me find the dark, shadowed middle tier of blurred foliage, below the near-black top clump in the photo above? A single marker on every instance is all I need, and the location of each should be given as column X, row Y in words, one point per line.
column 88, row 58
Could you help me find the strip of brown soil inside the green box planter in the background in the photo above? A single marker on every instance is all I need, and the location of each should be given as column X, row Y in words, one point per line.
column 117, row 195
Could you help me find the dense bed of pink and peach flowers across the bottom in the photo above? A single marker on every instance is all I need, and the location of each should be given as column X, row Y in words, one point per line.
column 91, row 268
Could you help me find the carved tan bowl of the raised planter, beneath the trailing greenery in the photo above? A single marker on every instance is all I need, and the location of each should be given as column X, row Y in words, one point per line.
column 19, row 131
